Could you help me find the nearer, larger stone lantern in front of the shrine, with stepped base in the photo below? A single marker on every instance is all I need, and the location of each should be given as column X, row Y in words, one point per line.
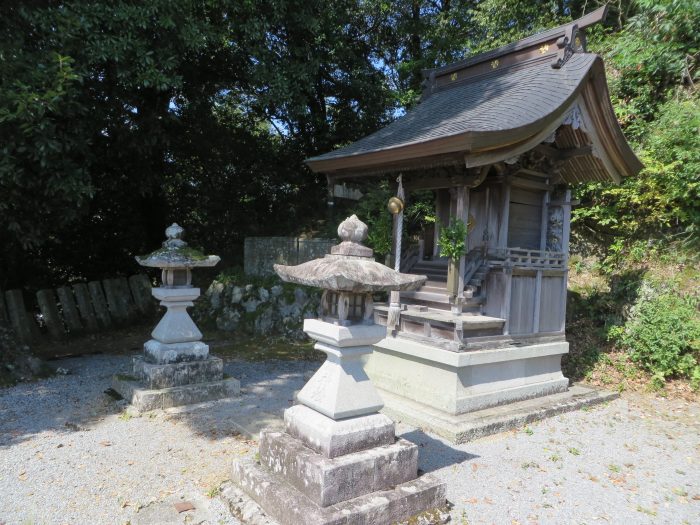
column 339, row 460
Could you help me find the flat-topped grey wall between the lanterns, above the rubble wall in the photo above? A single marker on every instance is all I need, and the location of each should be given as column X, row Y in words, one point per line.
column 261, row 253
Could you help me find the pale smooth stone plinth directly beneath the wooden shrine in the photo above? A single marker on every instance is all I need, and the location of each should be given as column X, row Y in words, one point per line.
column 458, row 383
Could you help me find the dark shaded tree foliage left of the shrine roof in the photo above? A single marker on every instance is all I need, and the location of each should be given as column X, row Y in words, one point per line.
column 117, row 118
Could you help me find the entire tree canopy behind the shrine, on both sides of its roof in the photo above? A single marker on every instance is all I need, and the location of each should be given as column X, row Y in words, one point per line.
column 117, row 117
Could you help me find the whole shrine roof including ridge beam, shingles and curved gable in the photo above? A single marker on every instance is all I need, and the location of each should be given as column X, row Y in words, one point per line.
column 497, row 105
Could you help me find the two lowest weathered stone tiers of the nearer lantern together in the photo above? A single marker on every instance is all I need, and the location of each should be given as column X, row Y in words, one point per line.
column 294, row 485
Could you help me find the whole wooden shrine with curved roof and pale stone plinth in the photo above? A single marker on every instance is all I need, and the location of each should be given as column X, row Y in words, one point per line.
column 500, row 138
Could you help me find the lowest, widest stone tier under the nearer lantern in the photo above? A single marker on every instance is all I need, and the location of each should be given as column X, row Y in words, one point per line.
column 275, row 501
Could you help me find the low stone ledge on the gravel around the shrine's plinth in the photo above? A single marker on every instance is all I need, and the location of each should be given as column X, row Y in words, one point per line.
column 473, row 425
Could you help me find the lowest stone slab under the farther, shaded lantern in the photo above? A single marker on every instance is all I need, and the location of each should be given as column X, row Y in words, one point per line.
column 144, row 398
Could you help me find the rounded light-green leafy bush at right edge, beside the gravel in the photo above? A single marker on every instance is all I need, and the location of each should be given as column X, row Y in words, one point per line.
column 662, row 334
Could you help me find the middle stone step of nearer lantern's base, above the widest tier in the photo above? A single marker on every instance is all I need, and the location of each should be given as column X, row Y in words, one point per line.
column 327, row 481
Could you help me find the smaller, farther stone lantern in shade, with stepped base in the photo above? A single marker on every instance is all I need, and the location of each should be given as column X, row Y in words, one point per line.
column 176, row 368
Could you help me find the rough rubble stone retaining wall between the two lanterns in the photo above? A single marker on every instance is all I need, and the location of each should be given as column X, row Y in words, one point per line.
column 273, row 308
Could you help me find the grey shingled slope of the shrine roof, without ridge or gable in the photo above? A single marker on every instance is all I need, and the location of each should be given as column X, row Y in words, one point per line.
column 491, row 105
